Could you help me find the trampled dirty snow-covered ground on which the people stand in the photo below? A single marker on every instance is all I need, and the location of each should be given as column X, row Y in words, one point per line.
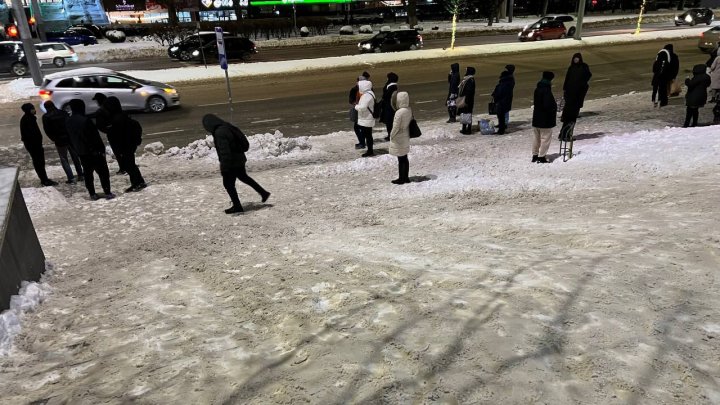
column 487, row 280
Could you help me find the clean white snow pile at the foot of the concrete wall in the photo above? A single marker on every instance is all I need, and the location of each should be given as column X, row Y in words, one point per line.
column 31, row 295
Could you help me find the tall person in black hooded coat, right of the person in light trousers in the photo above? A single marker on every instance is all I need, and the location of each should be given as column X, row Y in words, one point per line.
column 575, row 89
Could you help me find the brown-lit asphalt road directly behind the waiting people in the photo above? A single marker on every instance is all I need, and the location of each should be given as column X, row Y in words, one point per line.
column 315, row 104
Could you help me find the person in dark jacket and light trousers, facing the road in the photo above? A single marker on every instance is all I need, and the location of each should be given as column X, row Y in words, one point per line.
column 544, row 117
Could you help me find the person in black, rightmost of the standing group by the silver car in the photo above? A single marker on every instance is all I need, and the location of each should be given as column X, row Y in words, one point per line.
column 127, row 135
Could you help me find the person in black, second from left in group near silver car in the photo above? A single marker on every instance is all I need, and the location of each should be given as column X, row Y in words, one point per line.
column 54, row 126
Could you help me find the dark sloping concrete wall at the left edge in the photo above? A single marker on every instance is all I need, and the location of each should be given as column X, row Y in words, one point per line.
column 21, row 256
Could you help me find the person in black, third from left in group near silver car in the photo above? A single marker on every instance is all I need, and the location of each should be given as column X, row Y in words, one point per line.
column 88, row 144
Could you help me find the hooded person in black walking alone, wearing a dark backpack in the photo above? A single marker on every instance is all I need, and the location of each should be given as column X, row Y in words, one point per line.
column 231, row 145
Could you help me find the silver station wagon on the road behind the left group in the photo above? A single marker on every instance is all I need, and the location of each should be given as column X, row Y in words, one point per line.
column 134, row 93
